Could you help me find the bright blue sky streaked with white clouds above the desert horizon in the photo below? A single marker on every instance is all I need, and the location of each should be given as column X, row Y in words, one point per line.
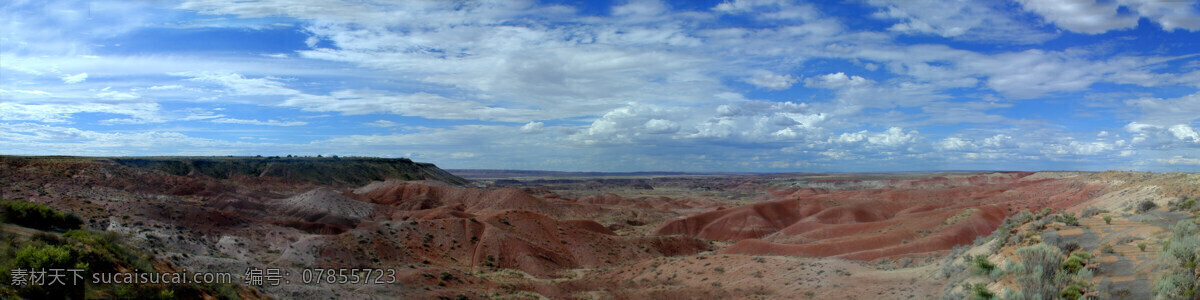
column 755, row 86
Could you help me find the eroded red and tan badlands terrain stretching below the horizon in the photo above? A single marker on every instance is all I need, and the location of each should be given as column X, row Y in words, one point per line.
column 496, row 235
